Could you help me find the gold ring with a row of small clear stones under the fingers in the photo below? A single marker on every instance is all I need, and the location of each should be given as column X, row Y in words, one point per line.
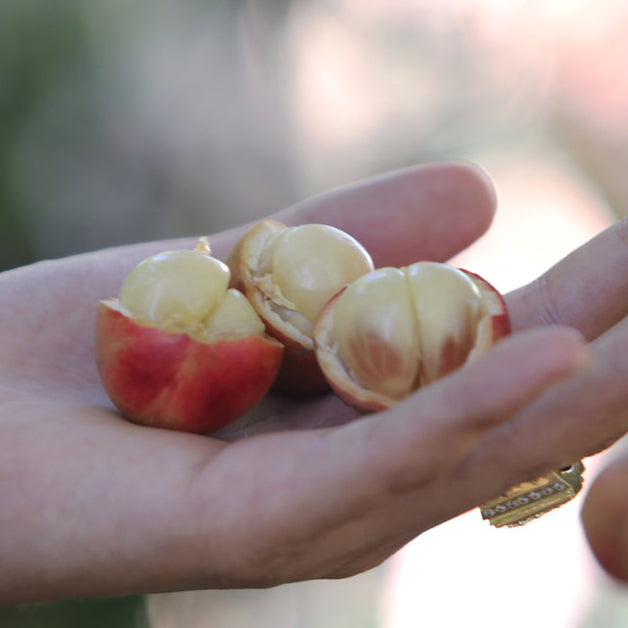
column 529, row 500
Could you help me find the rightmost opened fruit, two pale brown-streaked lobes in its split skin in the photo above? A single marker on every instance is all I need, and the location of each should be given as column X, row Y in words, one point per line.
column 395, row 330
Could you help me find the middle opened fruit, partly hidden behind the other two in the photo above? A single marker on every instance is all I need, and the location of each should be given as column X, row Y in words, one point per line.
column 289, row 274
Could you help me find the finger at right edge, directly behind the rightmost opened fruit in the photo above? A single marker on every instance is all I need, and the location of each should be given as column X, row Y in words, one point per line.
column 586, row 290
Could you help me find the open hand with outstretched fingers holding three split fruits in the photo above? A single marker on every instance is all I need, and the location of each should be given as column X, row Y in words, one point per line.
column 94, row 505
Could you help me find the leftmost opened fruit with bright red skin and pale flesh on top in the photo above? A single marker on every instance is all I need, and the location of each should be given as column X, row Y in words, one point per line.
column 181, row 350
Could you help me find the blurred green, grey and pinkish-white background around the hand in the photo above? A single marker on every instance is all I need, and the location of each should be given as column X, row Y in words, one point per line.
column 122, row 122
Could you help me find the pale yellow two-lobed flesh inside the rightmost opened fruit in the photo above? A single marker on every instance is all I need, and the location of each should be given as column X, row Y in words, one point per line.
column 398, row 329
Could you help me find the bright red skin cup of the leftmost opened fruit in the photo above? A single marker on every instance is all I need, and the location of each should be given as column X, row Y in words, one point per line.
column 173, row 381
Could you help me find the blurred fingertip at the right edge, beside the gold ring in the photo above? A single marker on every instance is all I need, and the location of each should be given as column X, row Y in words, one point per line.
column 605, row 518
